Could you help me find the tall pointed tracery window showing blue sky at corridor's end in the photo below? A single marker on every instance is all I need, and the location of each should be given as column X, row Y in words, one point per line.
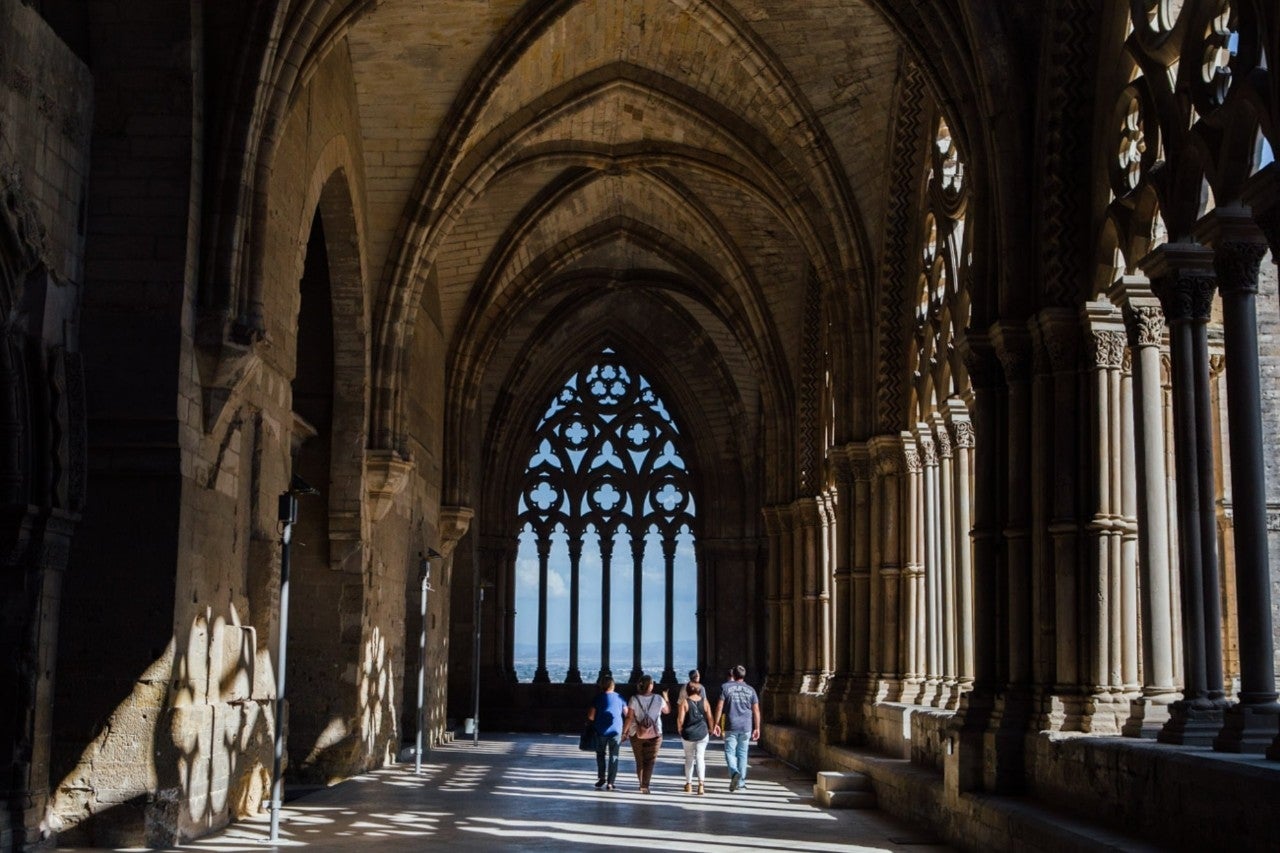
column 607, row 513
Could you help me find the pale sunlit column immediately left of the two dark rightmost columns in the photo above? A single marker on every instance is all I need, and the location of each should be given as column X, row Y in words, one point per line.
column 1145, row 326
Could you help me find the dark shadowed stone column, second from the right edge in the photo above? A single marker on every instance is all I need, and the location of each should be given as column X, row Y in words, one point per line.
column 1183, row 282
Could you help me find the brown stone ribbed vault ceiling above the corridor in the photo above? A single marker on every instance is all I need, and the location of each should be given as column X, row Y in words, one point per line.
column 527, row 159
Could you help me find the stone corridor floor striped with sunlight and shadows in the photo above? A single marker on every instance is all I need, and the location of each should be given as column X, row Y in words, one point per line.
column 536, row 793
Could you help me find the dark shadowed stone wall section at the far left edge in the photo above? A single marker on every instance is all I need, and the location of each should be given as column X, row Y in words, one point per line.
column 45, row 113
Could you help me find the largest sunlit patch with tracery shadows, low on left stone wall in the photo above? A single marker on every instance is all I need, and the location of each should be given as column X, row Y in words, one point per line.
column 189, row 751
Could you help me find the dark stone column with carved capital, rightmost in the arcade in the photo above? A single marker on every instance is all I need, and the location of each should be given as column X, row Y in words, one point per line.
column 1238, row 252
